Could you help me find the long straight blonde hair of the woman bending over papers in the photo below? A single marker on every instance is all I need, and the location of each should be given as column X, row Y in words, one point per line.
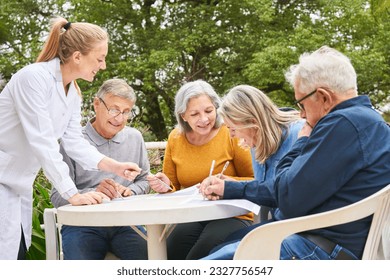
column 247, row 106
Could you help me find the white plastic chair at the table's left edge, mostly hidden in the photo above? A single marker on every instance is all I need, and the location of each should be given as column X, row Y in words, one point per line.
column 53, row 237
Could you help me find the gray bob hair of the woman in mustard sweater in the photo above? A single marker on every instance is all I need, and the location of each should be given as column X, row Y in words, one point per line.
column 186, row 93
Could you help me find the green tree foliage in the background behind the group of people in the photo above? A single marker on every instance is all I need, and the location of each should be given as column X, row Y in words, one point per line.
column 158, row 45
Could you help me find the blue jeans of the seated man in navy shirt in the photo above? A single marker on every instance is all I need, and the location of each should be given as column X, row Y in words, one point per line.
column 294, row 247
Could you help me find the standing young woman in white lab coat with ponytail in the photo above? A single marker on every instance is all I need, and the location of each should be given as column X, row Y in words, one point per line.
column 38, row 107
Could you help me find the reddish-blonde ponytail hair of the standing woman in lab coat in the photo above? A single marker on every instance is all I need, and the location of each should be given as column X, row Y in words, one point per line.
column 78, row 36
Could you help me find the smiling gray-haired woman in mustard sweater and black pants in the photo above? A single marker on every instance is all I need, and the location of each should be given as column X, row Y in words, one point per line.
column 199, row 138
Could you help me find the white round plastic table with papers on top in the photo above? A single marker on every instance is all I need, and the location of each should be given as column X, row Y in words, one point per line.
column 156, row 212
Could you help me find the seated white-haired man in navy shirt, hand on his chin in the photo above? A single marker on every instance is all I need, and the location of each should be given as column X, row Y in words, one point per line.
column 342, row 155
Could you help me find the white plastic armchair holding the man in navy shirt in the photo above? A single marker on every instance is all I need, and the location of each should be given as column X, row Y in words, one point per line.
column 264, row 242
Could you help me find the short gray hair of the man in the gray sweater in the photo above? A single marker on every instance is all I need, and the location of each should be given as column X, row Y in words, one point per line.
column 117, row 87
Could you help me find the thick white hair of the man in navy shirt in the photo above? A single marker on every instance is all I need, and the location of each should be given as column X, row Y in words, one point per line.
column 325, row 67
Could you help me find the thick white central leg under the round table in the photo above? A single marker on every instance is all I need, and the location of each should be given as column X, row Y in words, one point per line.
column 157, row 250
